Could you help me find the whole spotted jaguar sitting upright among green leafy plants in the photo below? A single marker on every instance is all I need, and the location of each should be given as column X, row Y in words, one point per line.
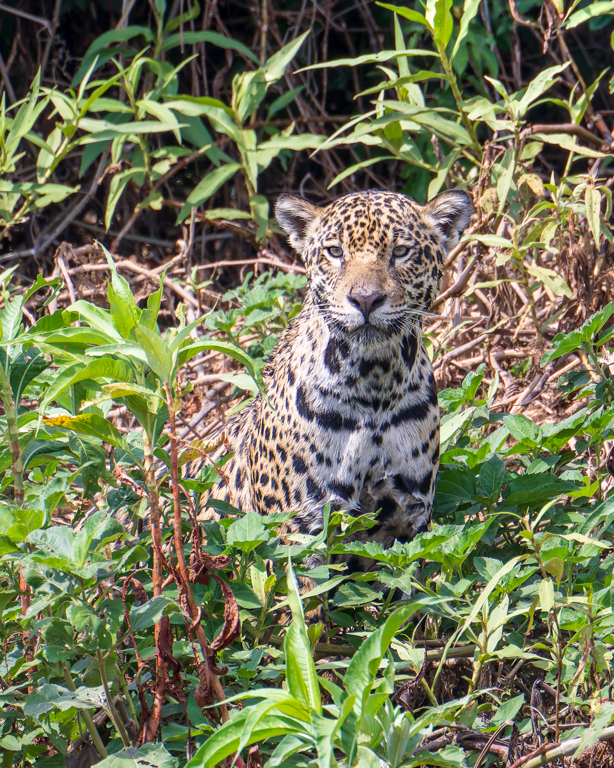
column 352, row 415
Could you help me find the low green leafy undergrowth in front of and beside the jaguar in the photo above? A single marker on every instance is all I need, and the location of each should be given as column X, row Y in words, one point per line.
column 129, row 626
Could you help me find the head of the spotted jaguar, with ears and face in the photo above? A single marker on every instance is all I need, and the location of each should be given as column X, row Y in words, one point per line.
column 374, row 259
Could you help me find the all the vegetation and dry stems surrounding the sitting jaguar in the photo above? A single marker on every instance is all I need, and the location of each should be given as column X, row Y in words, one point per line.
column 130, row 633
